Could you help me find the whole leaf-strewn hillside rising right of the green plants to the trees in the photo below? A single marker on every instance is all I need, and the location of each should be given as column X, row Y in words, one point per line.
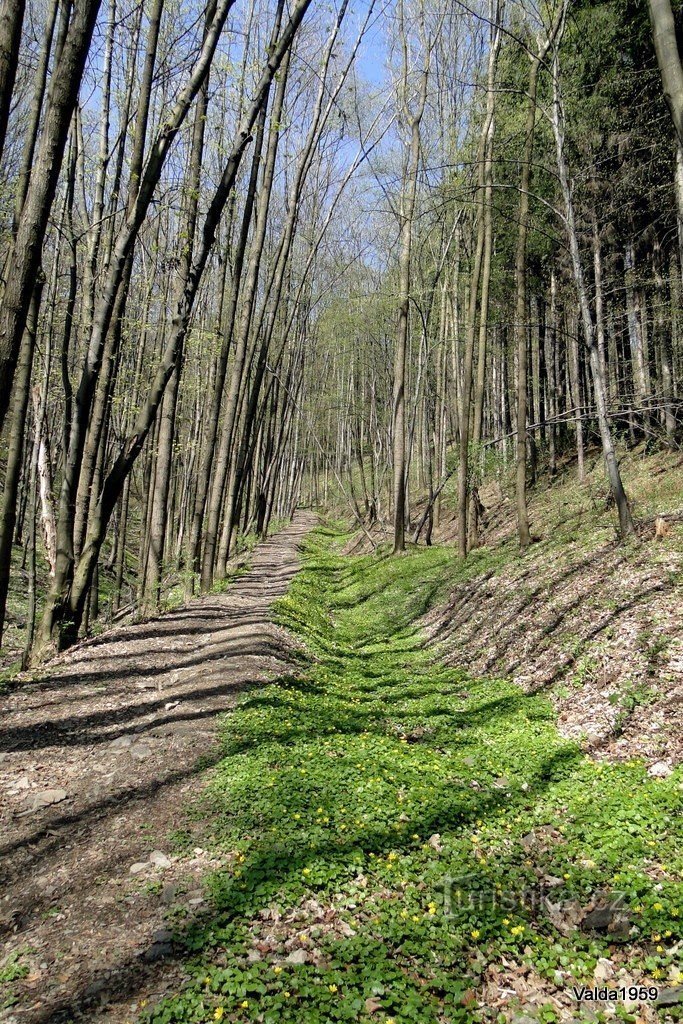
column 596, row 624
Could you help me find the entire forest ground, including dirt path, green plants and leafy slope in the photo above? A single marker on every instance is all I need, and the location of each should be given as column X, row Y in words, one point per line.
column 415, row 819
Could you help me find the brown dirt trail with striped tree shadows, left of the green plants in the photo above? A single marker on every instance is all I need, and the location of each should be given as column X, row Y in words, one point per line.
column 98, row 761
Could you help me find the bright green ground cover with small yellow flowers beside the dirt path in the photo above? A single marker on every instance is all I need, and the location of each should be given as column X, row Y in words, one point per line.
column 393, row 831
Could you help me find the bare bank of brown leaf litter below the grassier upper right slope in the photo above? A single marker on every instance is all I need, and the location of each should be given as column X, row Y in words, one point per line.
column 600, row 631
